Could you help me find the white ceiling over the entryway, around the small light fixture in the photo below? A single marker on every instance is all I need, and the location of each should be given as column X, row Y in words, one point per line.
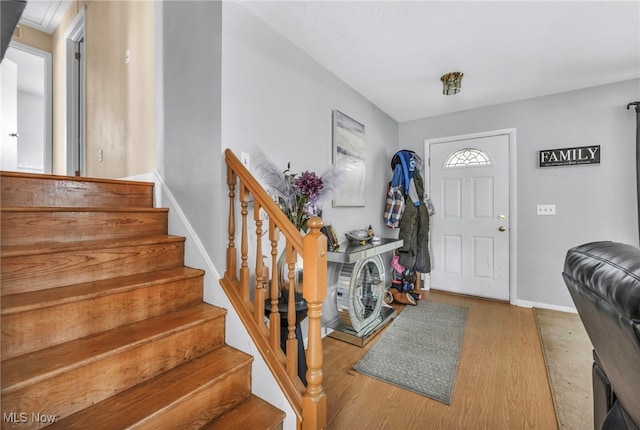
column 394, row 52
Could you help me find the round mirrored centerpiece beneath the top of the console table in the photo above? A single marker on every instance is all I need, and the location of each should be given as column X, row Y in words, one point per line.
column 360, row 292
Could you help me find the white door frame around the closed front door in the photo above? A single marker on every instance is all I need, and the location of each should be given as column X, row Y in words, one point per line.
column 513, row 198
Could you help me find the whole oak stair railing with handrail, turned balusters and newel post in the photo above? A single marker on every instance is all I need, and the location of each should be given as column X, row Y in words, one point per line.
column 309, row 403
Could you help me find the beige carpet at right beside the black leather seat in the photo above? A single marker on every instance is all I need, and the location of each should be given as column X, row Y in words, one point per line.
column 568, row 357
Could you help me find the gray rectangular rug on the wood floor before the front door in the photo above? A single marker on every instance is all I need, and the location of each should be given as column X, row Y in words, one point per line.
column 420, row 349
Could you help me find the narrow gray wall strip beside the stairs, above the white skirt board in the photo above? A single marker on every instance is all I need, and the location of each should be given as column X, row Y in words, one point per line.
column 189, row 160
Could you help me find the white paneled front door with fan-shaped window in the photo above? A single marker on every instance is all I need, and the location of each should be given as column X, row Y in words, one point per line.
column 469, row 187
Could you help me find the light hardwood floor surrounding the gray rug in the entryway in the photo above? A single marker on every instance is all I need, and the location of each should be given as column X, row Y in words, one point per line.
column 501, row 382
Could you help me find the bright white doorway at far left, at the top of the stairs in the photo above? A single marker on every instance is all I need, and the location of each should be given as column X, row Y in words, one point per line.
column 27, row 138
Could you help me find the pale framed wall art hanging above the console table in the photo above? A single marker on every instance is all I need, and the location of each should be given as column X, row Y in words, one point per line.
column 349, row 158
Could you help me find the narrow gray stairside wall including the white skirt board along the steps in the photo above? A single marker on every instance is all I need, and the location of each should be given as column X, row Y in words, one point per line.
column 190, row 168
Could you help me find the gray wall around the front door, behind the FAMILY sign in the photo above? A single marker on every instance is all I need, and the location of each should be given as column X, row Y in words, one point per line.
column 593, row 202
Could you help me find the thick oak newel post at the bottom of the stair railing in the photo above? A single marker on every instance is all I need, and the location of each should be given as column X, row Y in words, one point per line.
column 314, row 403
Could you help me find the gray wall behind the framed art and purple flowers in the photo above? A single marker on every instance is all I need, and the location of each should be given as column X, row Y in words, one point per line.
column 277, row 97
